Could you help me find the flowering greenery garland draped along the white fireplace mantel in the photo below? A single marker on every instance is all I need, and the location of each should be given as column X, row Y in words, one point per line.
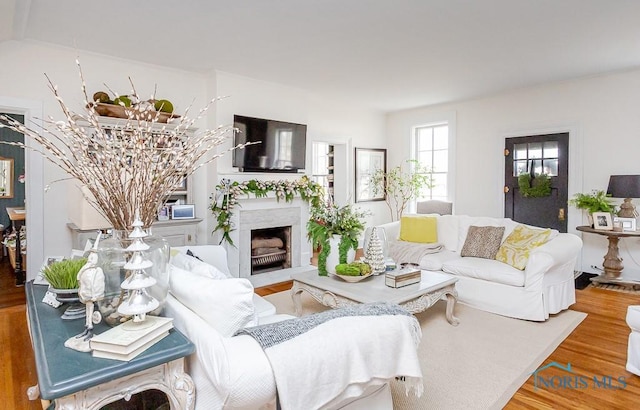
column 225, row 199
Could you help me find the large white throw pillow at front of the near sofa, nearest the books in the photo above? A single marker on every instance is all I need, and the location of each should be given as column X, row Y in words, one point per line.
column 225, row 304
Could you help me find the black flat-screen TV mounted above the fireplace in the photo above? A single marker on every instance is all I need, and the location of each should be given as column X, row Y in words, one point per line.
column 282, row 146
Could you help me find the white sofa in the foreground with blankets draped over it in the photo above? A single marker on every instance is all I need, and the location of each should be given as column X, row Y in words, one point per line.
column 234, row 372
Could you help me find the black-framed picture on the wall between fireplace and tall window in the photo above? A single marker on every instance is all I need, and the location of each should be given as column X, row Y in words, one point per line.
column 368, row 161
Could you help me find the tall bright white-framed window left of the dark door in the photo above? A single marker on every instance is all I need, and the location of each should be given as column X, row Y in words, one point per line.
column 431, row 150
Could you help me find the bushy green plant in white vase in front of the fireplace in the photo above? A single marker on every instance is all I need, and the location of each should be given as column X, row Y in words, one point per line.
column 330, row 223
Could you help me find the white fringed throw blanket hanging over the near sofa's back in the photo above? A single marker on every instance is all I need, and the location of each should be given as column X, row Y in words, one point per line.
column 340, row 358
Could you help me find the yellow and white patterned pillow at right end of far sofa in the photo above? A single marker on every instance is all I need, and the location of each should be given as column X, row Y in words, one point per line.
column 516, row 248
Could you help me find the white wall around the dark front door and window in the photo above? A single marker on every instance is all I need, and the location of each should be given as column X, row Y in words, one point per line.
column 601, row 114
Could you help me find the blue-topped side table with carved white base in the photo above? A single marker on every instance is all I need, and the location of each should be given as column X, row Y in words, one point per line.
column 77, row 380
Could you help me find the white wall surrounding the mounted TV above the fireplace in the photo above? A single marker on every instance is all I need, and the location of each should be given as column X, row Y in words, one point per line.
column 327, row 120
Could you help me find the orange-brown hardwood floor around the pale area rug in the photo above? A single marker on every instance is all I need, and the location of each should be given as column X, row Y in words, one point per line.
column 596, row 348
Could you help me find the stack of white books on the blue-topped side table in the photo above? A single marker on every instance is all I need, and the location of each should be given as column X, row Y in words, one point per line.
column 128, row 340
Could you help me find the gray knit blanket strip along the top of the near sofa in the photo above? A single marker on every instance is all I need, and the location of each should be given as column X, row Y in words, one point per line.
column 274, row 333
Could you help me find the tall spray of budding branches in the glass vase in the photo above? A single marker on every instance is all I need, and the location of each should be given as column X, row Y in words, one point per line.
column 133, row 167
